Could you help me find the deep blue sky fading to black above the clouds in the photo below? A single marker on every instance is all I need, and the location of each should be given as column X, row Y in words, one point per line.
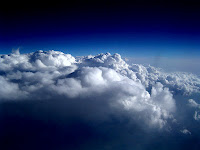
column 155, row 28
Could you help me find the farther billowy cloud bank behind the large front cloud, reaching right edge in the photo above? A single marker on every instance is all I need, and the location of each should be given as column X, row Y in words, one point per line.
column 186, row 83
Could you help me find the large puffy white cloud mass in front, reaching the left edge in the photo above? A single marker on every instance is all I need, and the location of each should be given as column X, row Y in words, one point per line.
column 61, row 75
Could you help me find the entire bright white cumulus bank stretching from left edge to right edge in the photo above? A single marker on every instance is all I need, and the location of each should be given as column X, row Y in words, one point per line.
column 142, row 93
